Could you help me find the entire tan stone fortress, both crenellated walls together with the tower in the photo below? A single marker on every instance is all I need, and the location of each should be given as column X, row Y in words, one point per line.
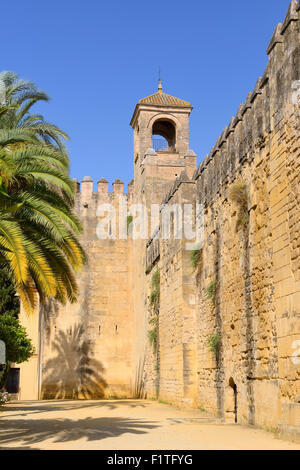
column 244, row 292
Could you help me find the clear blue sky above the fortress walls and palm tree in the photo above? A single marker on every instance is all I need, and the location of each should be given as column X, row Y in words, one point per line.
column 97, row 58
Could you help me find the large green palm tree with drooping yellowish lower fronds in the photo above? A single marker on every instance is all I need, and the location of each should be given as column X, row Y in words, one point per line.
column 38, row 230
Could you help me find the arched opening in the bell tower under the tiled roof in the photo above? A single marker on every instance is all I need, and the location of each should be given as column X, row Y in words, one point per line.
column 163, row 136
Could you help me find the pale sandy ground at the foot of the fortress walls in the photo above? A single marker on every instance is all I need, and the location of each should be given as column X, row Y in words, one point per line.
column 123, row 424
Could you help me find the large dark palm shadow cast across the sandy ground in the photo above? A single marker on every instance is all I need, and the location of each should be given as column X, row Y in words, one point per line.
column 33, row 431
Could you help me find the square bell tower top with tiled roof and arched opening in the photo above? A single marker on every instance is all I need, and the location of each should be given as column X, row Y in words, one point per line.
column 161, row 143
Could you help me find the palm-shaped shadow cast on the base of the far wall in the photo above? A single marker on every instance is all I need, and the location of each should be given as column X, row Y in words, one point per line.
column 73, row 373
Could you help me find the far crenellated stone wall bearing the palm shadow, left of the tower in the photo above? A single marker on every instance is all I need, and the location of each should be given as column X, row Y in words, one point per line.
column 87, row 347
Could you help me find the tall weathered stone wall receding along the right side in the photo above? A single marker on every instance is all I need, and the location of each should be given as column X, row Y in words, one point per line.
column 255, row 272
